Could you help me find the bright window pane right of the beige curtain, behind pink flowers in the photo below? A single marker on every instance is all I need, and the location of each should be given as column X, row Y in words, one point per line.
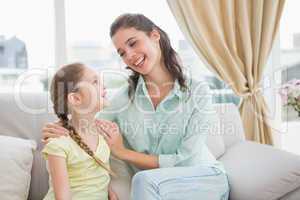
column 290, row 71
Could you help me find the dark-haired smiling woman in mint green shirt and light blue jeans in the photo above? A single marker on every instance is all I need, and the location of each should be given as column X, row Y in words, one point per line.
column 164, row 122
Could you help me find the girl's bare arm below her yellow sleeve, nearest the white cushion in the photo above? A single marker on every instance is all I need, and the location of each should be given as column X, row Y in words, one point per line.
column 59, row 175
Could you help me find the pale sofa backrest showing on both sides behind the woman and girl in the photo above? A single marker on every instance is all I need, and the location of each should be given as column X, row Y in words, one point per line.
column 23, row 115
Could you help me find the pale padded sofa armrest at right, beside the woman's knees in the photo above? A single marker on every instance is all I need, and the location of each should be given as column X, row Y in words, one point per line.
column 257, row 171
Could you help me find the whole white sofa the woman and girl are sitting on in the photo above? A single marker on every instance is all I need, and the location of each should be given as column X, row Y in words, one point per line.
column 255, row 171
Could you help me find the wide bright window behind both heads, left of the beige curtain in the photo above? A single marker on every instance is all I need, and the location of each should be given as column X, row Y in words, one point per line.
column 69, row 31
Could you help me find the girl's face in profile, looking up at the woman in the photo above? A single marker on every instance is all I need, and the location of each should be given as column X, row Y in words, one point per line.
column 90, row 96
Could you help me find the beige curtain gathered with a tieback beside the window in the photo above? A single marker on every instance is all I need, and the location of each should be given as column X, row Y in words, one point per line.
column 235, row 38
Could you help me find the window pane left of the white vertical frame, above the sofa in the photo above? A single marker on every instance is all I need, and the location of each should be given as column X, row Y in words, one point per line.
column 26, row 42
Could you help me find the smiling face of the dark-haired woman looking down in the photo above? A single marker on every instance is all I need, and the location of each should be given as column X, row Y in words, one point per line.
column 139, row 51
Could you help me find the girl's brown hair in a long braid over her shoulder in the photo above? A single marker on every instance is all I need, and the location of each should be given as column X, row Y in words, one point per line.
column 64, row 82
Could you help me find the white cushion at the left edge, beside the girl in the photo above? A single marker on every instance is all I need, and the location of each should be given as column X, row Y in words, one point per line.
column 16, row 156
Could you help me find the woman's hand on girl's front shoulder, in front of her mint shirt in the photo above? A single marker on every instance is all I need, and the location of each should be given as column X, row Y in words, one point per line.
column 111, row 133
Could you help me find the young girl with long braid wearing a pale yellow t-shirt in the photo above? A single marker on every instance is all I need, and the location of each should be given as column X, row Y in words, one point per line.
column 78, row 164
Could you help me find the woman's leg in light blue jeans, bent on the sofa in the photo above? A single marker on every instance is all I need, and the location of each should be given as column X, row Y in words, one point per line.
column 180, row 183
